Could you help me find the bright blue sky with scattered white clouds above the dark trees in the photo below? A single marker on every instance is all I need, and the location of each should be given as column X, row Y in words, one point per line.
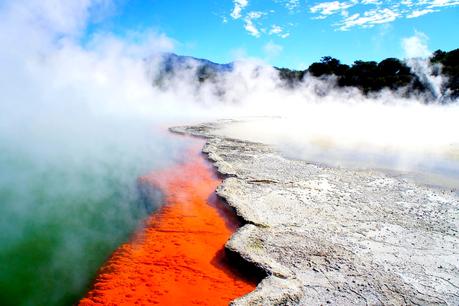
column 289, row 33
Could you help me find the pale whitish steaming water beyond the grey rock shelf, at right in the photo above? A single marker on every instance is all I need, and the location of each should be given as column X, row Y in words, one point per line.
column 436, row 168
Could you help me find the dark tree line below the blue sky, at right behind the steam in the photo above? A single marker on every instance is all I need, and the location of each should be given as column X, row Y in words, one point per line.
column 390, row 73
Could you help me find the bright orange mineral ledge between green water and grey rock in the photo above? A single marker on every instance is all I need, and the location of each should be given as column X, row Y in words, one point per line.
column 178, row 257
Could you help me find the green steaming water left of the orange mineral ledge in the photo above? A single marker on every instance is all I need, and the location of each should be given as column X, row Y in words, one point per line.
column 61, row 215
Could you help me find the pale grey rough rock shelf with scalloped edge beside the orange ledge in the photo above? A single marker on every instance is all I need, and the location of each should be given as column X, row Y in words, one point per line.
column 335, row 236
